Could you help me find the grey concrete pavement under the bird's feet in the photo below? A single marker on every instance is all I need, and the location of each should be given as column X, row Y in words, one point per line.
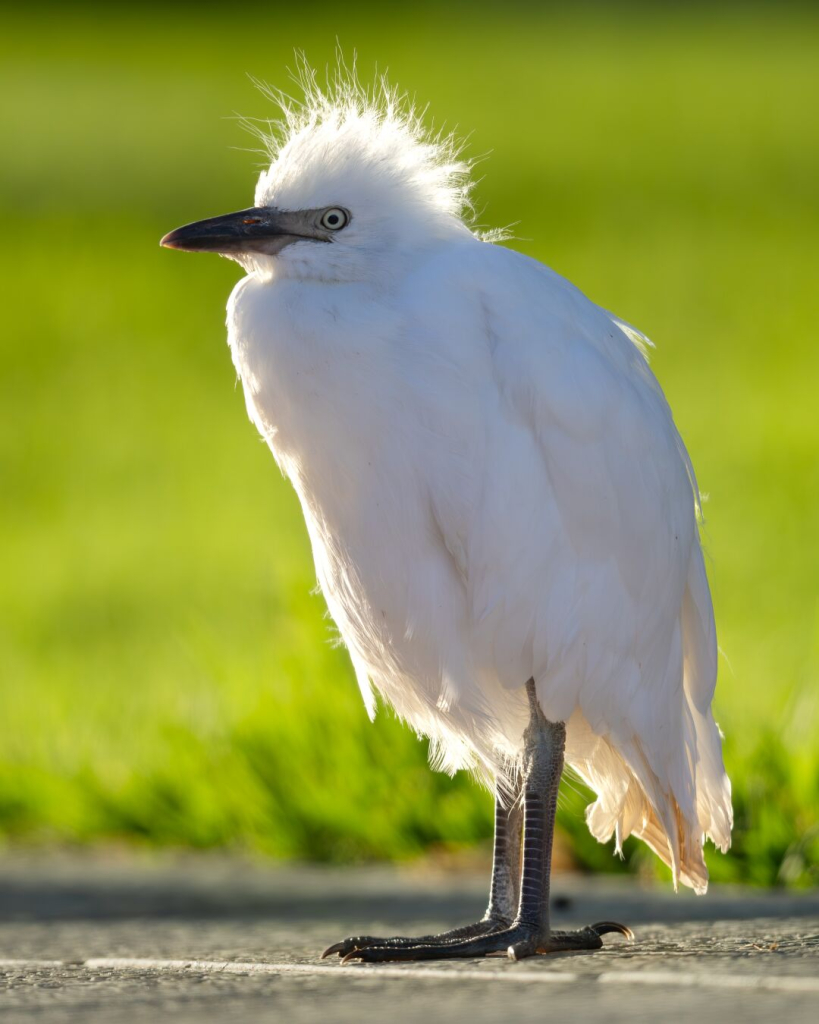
column 205, row 940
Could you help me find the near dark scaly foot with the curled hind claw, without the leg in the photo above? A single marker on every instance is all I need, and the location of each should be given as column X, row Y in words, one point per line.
column 515, row 942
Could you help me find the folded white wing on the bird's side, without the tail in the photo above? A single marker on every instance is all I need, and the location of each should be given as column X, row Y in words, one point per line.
column 580, row 544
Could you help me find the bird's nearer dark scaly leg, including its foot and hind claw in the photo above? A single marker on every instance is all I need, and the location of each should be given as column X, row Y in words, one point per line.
column 531, row 932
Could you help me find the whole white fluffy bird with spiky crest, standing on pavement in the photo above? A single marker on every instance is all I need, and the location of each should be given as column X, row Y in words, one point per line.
column 503, row 515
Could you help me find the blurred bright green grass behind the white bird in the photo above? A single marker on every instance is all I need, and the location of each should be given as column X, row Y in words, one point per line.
column 168, row 677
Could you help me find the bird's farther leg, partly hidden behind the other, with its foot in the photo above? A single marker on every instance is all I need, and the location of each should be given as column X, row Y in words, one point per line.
column 503, row 893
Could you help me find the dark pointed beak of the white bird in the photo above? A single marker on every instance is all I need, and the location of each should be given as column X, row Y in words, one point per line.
column 264, row 230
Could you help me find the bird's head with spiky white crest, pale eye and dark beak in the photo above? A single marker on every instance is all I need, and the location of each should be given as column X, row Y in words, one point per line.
column 357, row 186
